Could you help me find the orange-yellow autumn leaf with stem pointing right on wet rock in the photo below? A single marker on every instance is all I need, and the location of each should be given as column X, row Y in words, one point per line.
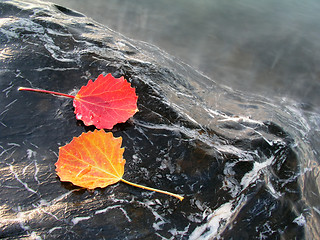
column 95, row 159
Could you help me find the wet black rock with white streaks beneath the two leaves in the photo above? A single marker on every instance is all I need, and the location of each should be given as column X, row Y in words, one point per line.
column 235, row 158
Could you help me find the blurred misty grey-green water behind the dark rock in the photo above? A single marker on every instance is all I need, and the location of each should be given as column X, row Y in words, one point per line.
column 264, row 47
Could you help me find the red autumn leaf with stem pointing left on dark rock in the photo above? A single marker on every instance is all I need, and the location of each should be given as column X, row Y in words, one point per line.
column 102, row 103
